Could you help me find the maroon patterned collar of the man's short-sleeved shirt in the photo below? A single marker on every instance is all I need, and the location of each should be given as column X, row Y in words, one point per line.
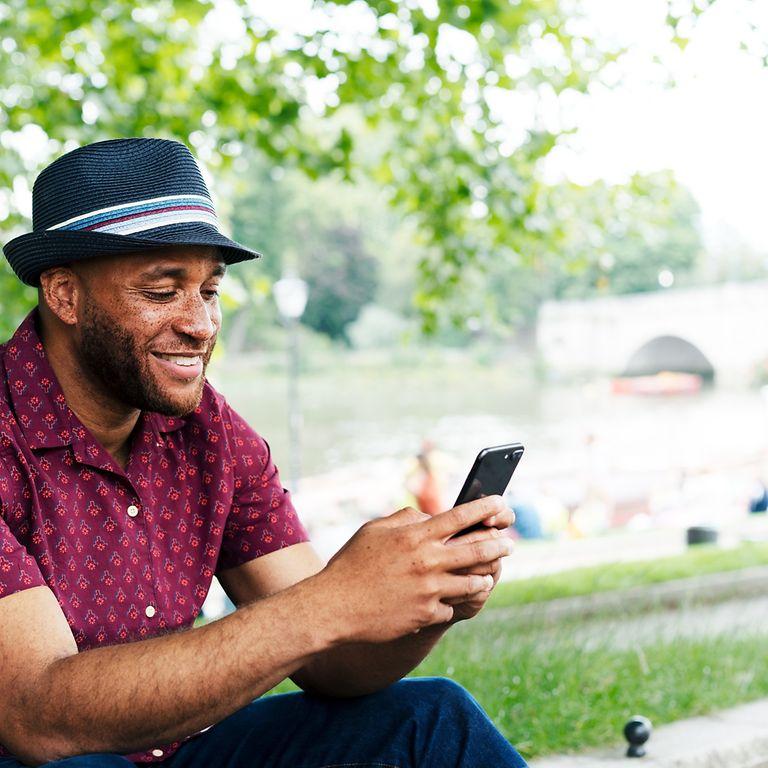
column 38, row 401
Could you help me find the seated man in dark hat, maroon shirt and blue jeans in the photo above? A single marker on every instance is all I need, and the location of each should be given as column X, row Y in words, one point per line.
column 127, row 482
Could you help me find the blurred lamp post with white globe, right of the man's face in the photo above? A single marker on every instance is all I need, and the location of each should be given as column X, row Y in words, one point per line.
column 291, row 299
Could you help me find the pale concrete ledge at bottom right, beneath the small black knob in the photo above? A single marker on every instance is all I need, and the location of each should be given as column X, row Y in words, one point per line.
column 733, row 738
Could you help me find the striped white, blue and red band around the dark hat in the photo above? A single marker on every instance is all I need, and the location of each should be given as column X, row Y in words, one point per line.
column 141, row 215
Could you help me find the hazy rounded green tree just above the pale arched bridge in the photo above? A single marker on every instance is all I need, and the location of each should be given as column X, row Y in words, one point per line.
column 606, row 239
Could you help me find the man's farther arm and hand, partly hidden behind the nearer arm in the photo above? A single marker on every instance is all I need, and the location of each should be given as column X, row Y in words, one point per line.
column 354, row 669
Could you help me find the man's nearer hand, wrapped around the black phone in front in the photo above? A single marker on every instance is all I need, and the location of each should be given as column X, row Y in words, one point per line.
column 404, row 572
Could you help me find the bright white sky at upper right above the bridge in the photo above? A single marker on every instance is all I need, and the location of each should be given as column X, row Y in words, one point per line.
column 710, row 126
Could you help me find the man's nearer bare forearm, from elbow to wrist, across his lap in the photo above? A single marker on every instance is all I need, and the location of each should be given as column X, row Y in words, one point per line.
column 132, row 697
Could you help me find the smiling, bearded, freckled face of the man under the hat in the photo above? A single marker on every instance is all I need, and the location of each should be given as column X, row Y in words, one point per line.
column 147, row 325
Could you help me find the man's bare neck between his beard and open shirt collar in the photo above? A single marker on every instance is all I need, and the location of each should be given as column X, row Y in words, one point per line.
column 110, row 423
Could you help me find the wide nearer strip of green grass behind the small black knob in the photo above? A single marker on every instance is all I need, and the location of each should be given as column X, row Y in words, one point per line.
column 562, row 696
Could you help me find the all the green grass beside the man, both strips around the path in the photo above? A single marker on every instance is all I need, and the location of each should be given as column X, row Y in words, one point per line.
column 570, row 686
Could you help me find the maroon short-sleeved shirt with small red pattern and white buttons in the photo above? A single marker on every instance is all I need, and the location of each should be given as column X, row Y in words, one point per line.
column 128, row 553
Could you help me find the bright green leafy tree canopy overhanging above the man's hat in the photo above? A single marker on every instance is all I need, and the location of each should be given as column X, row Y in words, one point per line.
column 432, row 79
